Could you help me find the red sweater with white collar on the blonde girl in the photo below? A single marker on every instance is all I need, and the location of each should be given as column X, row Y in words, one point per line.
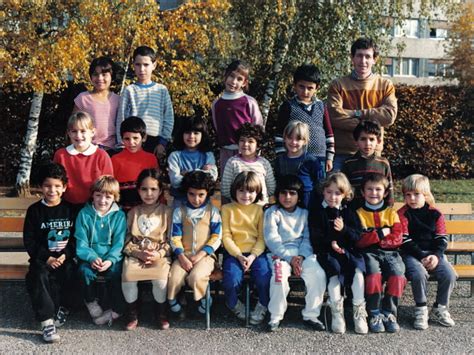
column 82, row 170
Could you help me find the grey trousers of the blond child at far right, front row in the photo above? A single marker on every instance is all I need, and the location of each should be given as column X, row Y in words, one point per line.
column 418, row 275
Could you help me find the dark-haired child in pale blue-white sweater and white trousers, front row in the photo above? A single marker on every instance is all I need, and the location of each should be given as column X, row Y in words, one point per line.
column 286, row 235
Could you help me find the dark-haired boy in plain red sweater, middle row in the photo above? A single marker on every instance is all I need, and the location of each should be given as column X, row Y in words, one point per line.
column 131, row 160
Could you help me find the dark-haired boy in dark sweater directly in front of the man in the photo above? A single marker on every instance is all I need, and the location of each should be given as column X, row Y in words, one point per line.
column 367, row 135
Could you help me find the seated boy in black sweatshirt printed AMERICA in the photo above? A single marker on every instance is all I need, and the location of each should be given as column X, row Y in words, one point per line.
column 47, row 236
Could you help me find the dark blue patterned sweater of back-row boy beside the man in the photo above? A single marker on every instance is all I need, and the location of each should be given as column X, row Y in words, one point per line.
column 321, row 136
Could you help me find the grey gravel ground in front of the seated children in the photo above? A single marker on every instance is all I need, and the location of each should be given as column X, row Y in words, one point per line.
column 20, row 334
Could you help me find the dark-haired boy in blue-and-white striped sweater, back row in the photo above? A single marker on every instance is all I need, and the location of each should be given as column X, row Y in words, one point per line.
column 150, row 101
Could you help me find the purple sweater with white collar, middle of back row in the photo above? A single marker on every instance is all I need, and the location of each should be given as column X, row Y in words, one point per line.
column 230, row 112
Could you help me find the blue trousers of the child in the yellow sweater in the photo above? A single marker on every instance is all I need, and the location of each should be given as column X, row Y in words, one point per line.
column 260, row 275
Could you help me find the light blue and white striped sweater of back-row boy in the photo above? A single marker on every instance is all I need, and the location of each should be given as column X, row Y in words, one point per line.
column 152, row 103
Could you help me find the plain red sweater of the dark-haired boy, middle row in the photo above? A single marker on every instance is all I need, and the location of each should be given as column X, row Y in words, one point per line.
column 127, row 165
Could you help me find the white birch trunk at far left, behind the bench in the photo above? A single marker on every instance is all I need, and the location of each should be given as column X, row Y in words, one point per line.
column 29, row 147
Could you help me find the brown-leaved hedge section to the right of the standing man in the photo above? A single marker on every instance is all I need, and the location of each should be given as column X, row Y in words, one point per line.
column 432, row 134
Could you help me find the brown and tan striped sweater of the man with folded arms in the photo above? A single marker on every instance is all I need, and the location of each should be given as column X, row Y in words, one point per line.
column 373, row 96
